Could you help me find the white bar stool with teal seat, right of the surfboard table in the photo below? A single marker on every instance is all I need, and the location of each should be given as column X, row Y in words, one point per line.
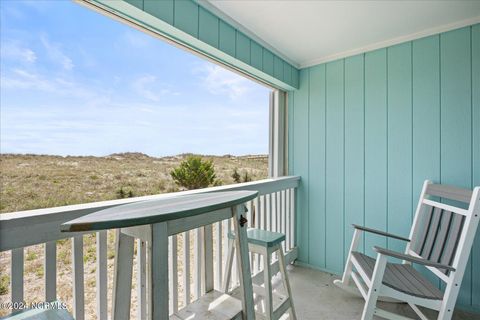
column 265, row 243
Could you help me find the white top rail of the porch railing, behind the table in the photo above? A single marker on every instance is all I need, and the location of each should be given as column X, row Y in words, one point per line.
column 24, row 228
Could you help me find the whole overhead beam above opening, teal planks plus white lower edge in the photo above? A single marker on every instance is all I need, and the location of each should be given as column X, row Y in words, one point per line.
column 188, row 23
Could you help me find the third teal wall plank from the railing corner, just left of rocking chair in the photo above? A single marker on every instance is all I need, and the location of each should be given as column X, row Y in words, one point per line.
column 334, row 172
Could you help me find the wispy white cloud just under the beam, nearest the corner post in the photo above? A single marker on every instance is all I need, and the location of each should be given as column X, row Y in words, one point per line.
column 218, row 80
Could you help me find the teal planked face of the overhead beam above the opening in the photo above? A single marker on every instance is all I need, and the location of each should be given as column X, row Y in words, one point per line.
column 191, row 18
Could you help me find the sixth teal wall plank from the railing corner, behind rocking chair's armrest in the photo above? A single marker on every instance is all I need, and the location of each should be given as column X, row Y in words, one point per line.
column 399, row 144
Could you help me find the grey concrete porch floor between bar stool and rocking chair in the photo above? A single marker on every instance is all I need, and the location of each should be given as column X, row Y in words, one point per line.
column 316, row 297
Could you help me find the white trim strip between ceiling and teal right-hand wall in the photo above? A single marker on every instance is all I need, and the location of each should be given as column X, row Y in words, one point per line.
column 391, row 42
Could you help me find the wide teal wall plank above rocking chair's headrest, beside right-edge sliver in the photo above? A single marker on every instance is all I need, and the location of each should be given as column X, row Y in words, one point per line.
column 456, row 112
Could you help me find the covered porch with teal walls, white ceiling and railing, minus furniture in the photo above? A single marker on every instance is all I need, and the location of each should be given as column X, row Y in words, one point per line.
column 353, row 134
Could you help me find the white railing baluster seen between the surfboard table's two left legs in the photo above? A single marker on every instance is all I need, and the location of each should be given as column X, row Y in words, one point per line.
column 141, row 280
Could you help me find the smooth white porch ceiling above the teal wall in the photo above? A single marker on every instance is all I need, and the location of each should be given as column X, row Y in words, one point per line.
column 312, row 32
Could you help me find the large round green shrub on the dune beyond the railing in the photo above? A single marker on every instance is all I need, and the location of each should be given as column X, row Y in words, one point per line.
column 194, row 173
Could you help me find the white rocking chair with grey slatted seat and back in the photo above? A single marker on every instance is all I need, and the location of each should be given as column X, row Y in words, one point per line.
column 440, row 239
